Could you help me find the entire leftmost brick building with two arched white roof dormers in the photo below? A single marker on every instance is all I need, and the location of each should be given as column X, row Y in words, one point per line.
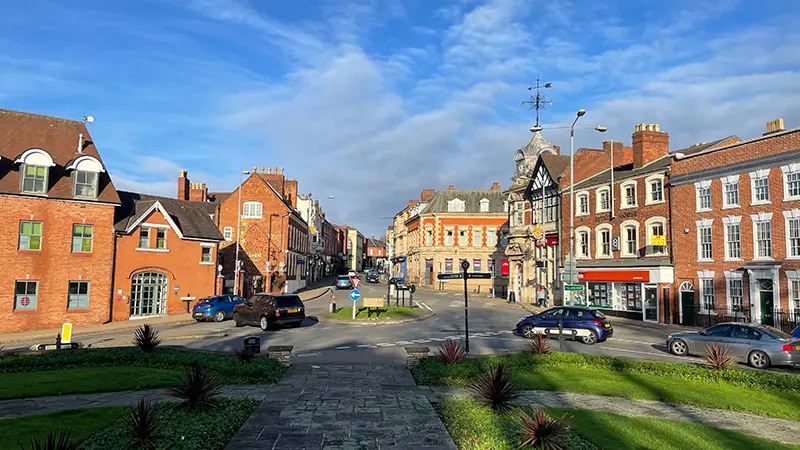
column 57, row 238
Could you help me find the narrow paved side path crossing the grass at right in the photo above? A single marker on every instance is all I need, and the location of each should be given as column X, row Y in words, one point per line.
column 781, row 430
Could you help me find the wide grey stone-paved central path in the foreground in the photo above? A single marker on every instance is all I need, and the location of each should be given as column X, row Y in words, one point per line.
column 337, row 407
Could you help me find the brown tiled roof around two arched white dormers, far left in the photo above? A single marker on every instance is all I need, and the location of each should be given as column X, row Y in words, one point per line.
column 21, row 131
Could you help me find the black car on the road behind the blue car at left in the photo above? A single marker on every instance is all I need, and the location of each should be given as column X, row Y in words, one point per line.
column 269, row 311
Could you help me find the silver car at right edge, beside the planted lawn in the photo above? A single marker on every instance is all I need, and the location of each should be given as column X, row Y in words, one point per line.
column 758, row 345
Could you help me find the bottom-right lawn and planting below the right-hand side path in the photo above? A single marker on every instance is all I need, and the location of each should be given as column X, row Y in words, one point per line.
column 473, row 426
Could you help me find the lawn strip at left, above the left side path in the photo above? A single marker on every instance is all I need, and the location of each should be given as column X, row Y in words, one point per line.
column 76, row 381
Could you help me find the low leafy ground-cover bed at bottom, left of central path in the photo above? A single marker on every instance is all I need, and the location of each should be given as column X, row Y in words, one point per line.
column 183, row 430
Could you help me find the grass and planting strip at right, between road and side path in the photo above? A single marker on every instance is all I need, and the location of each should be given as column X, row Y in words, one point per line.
column 765, row 393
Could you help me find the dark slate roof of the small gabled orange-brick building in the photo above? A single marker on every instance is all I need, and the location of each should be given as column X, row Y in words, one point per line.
column 191, row 218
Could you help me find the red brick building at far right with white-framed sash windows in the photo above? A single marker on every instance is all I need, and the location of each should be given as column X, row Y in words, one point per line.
column 736, row 219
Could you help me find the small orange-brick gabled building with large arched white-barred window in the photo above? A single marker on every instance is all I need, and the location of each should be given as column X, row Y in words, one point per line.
column 166, row 255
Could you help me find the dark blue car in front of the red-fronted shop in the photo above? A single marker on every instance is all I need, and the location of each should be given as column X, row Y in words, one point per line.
column 584, row 324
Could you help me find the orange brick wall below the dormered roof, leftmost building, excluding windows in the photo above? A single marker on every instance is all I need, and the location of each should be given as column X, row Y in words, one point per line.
column 55, row 265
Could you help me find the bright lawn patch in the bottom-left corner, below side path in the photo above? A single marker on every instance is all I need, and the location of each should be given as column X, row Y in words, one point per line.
column 81, row 422
